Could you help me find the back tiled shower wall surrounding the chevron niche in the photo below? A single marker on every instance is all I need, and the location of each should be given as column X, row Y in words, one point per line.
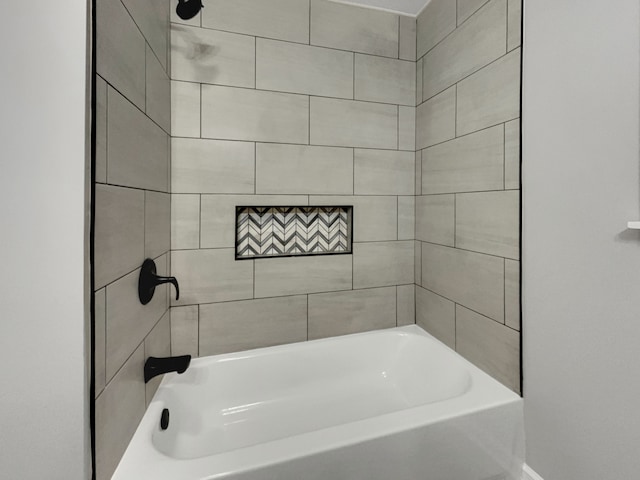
column 290, row 102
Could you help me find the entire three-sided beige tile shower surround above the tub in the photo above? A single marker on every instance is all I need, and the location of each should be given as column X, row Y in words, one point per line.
column 298, row 102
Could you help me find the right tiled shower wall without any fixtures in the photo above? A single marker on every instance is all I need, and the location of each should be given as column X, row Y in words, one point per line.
column 467, row 203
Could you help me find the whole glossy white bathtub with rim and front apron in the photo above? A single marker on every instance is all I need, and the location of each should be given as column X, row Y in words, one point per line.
column 386, row 405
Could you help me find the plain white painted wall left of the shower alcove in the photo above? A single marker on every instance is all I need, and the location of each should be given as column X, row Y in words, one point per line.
column 43, row 397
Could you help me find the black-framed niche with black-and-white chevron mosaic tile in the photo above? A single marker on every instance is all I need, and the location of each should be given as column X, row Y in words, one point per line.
column 292, row 231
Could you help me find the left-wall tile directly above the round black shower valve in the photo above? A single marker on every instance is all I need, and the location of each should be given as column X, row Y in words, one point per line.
column 157, row 224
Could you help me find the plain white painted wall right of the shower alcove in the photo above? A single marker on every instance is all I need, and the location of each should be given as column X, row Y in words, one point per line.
column 581, row 267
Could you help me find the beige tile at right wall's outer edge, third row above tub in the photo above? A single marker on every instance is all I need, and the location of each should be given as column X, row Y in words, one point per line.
column 488, row 222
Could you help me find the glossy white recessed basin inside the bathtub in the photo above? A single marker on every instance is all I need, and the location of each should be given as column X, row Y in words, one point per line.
column 233, row 401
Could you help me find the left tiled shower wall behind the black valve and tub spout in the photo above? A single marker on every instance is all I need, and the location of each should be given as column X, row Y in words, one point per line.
column 132, row 213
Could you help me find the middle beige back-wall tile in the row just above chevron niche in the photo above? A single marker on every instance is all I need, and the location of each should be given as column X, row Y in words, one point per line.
column 301, row 169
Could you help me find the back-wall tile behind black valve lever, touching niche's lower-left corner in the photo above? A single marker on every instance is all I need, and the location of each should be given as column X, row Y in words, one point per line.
column 208, row 276
